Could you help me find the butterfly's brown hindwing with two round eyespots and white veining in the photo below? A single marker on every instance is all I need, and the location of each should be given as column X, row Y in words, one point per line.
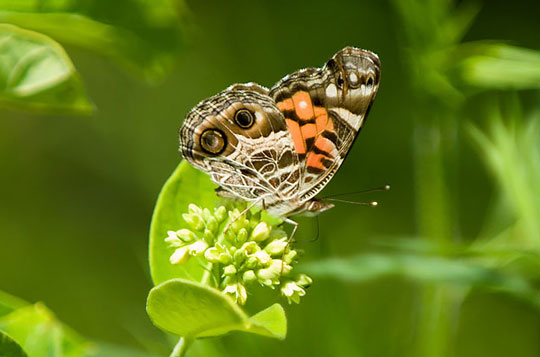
column 241, row 140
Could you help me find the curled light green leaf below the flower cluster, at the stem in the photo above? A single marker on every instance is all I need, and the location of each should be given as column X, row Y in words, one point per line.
column 189, row 309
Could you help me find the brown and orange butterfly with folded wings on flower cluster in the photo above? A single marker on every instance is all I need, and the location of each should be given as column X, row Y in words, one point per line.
column 280, row 147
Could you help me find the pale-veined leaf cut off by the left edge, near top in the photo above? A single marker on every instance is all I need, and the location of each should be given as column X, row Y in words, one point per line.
column 36, row 74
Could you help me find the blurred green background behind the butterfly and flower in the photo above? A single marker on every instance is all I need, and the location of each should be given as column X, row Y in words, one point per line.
column 446, row 265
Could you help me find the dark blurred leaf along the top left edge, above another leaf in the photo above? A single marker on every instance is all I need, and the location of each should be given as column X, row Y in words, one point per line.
column 146, row 42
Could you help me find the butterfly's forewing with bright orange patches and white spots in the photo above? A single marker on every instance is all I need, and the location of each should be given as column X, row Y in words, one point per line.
column 324, row 109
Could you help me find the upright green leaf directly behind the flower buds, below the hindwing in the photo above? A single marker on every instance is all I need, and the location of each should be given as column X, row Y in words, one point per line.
column 186, row 185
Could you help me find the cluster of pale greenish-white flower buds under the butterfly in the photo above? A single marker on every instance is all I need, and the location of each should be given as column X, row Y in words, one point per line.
column 251, row 250
